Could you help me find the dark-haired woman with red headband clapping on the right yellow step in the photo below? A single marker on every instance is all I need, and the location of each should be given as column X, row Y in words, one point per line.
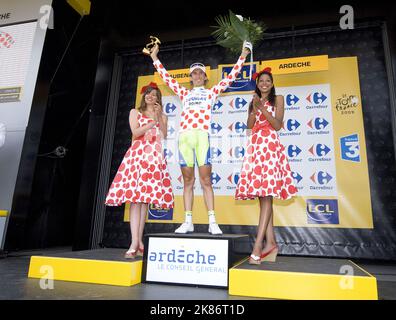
column 265, row 172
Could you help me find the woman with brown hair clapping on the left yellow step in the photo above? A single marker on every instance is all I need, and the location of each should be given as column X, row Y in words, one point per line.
column 142, row 177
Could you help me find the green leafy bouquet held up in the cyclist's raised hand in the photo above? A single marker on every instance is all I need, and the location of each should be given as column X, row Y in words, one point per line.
column 232, row 30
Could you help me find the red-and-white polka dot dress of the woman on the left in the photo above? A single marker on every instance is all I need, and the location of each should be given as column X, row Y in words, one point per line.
column 143, row 176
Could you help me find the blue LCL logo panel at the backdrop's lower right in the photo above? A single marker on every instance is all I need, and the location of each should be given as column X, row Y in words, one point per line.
column 322, row 211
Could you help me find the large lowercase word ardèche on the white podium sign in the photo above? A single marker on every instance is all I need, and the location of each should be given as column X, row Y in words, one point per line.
column 182, row 256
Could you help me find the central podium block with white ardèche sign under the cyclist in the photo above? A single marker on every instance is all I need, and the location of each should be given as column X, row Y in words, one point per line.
column 195, row 259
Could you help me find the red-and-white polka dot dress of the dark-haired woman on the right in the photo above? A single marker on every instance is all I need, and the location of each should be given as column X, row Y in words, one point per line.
column 265, row 170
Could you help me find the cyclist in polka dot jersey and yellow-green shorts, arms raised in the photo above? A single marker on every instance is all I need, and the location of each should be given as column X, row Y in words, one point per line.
column 195, row 125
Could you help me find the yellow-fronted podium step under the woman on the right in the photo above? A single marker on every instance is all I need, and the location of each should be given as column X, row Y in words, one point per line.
column 303, row 278
